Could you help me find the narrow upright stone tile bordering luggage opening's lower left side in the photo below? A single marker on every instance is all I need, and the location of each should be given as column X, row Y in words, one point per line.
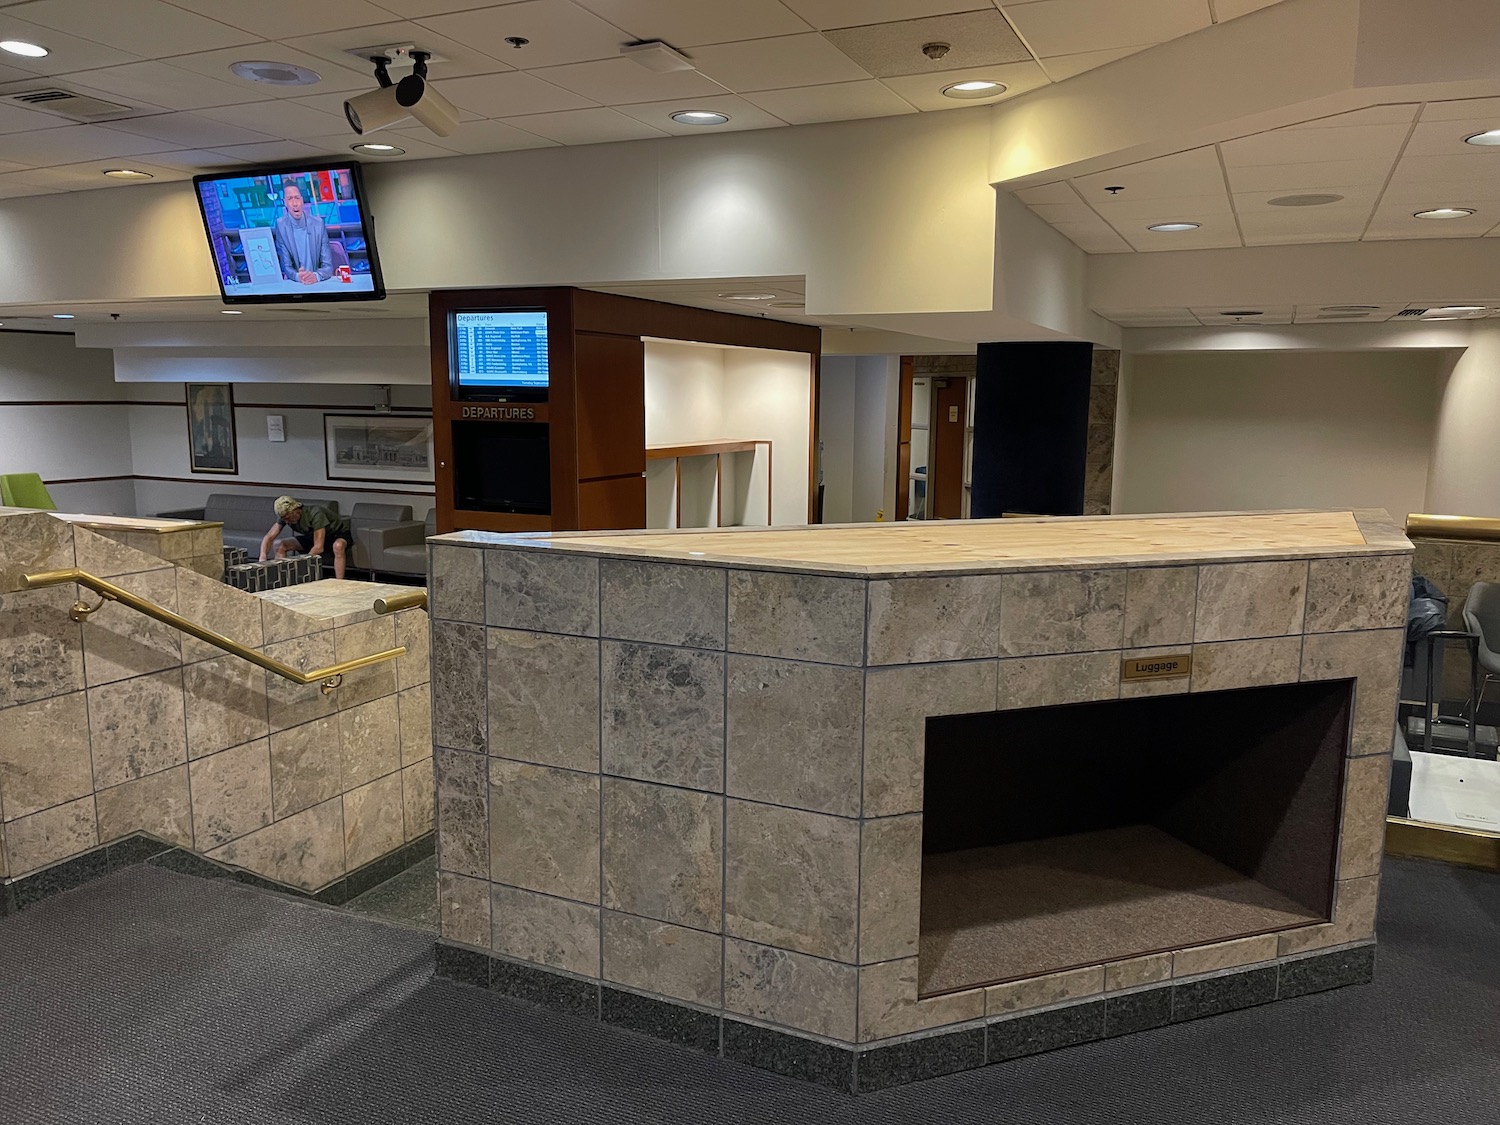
column 890, row 887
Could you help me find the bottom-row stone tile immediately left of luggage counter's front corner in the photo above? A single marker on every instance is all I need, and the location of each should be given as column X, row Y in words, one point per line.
column 791, row 989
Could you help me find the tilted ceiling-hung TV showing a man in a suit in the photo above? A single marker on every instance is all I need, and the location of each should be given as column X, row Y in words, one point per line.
column 292, row 235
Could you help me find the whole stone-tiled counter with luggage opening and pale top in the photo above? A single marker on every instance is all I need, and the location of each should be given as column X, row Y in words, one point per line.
column 874, row 805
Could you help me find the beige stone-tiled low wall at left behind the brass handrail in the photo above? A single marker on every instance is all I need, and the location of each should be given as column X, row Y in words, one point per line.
column 122, row 725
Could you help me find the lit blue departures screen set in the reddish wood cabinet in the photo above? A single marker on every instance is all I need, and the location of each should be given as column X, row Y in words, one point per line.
column 500, row 353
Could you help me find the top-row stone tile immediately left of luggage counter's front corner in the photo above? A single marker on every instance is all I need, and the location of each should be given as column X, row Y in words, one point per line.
column 797, row 617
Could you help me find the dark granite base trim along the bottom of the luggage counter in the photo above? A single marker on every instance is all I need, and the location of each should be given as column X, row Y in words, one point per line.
column 929, row 1055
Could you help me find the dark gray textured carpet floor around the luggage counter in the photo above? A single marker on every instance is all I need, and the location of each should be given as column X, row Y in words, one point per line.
column 160, row 1000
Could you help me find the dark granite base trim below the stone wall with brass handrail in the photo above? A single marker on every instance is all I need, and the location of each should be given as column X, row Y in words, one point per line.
column 142, row 848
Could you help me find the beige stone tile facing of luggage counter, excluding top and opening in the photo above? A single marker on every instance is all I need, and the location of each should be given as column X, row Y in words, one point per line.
column 704, row 784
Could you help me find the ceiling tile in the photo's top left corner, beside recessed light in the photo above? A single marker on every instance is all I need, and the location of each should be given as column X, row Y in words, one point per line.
column 149, row 29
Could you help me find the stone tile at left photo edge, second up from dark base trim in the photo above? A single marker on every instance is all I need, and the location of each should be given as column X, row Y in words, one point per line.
column 44, row 755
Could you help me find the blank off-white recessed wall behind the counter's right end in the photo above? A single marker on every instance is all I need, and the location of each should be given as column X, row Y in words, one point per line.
column 1234, row 431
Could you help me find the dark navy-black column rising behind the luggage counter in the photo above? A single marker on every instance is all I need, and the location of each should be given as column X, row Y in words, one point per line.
column 1031, row 430
